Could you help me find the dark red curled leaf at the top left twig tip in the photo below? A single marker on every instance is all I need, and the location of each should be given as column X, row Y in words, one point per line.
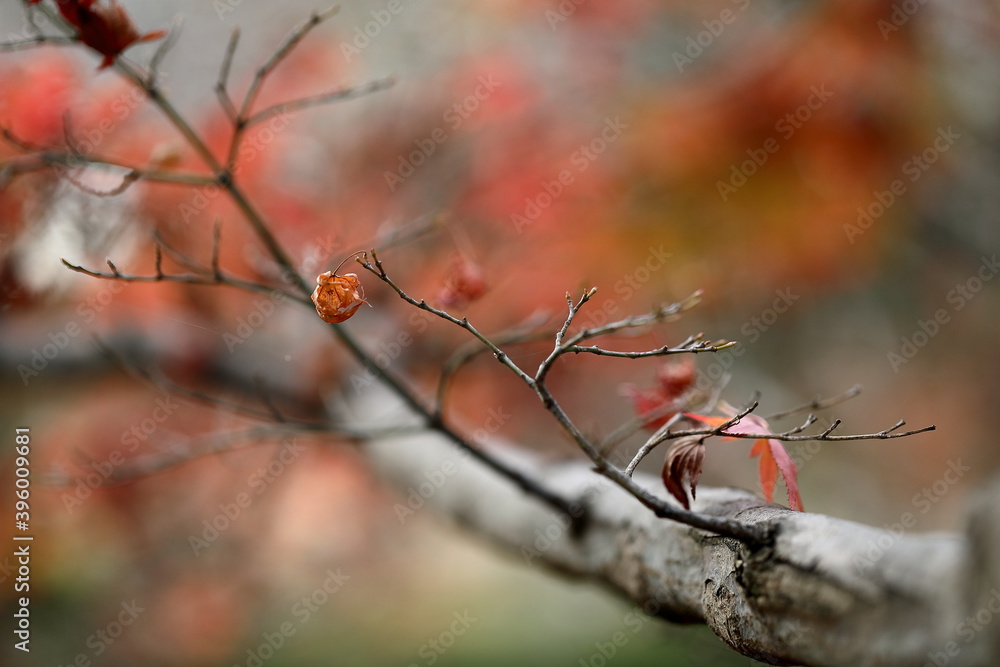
column 103, row 26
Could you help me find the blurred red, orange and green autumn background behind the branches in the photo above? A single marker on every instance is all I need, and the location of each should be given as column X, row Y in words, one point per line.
column 826, row 171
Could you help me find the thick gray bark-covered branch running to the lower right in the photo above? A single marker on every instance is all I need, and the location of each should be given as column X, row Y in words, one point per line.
column 826, row 592
